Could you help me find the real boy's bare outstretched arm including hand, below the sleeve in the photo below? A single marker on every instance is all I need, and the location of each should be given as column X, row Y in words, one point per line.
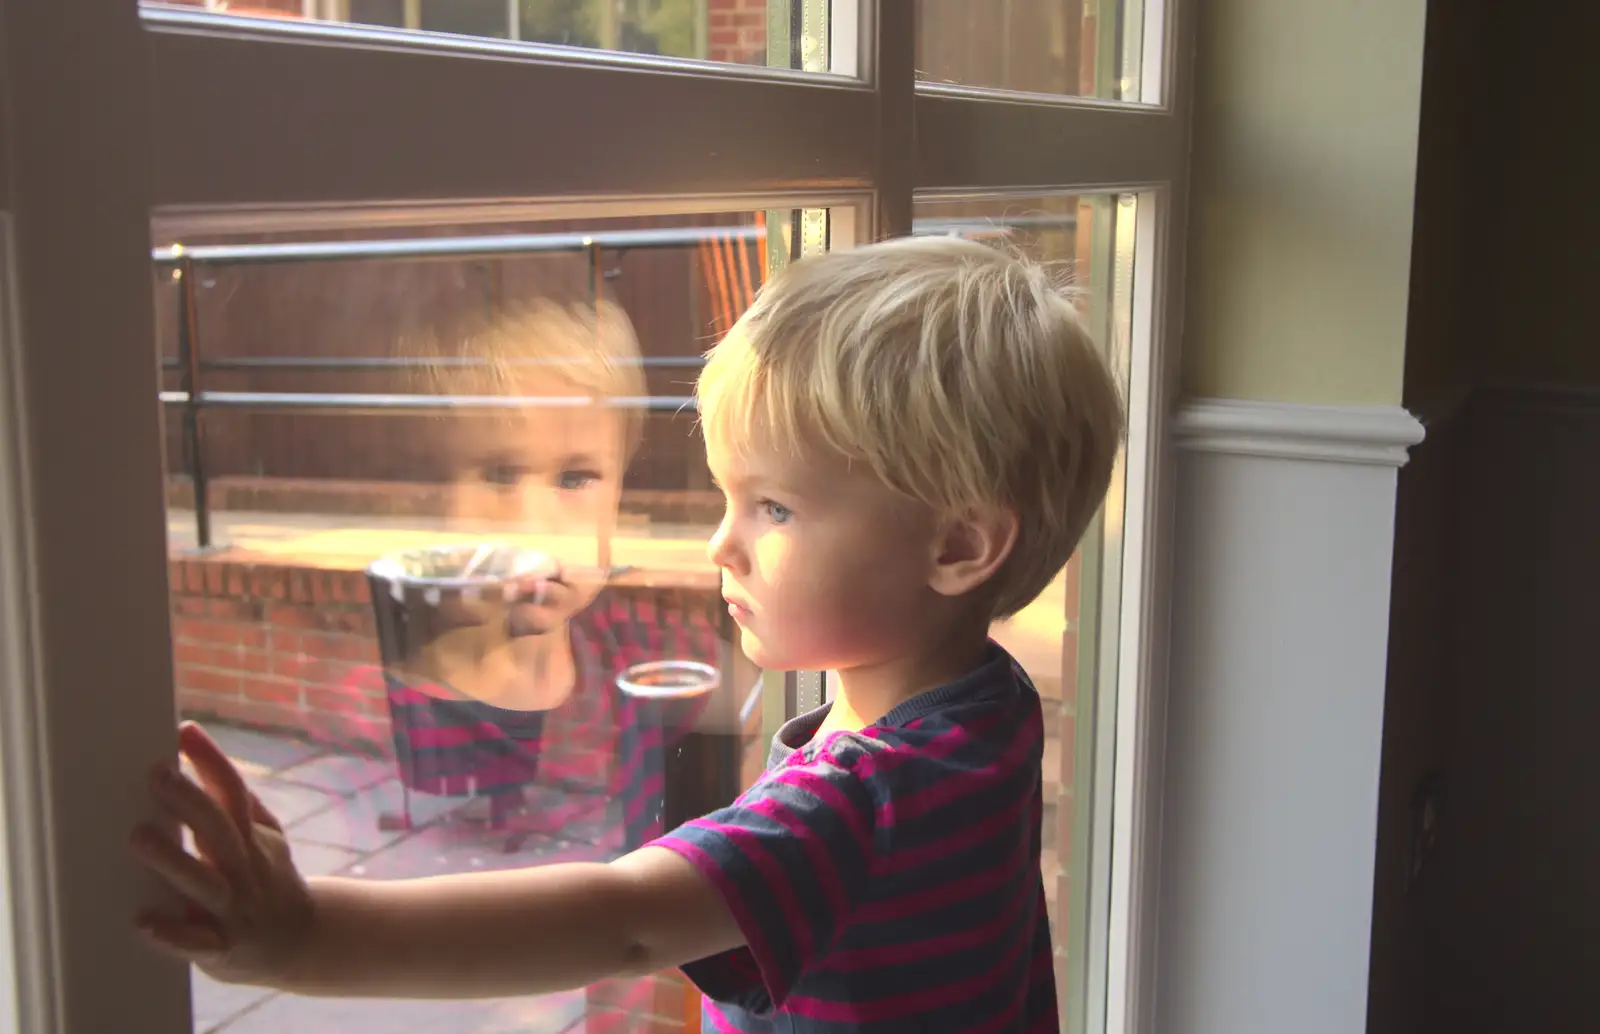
column 254, row 920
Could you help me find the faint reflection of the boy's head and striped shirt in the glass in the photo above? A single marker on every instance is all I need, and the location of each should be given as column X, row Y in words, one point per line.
column 527, row 692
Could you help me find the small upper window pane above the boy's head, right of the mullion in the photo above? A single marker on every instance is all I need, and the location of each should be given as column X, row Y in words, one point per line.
column 1079, row 49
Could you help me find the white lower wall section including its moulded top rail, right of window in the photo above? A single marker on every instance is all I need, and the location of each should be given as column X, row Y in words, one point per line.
column 1284, row 537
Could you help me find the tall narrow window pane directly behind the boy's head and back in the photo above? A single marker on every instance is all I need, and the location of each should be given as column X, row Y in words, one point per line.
column 1068, row 638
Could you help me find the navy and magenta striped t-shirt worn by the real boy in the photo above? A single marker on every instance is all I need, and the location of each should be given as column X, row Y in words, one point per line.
column 889, row 880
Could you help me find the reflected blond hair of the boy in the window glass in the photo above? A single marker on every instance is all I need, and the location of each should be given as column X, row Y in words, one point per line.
column 591, row 350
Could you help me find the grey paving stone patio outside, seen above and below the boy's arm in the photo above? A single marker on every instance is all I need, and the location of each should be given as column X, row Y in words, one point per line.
column 330, row 806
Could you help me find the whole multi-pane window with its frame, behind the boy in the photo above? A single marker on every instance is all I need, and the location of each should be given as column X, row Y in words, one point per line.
column 346, row 202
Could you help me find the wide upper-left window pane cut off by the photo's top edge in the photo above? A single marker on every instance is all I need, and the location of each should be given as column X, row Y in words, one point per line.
column 782, row 34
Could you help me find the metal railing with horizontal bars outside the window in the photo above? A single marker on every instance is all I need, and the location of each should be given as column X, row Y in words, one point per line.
column 193, row 398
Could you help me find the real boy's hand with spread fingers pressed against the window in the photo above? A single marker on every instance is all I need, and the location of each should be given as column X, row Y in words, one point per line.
column 247, row 912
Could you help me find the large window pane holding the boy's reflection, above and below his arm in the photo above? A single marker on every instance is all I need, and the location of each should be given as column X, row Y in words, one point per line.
column 446, row 596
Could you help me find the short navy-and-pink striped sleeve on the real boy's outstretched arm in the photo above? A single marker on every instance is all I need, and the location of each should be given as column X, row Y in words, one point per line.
column 791, row 860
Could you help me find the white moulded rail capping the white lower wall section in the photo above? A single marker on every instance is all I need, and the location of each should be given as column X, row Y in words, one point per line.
column 1364, row 435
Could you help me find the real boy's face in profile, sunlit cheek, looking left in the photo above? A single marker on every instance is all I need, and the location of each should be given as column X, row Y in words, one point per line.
column 823, row 567
